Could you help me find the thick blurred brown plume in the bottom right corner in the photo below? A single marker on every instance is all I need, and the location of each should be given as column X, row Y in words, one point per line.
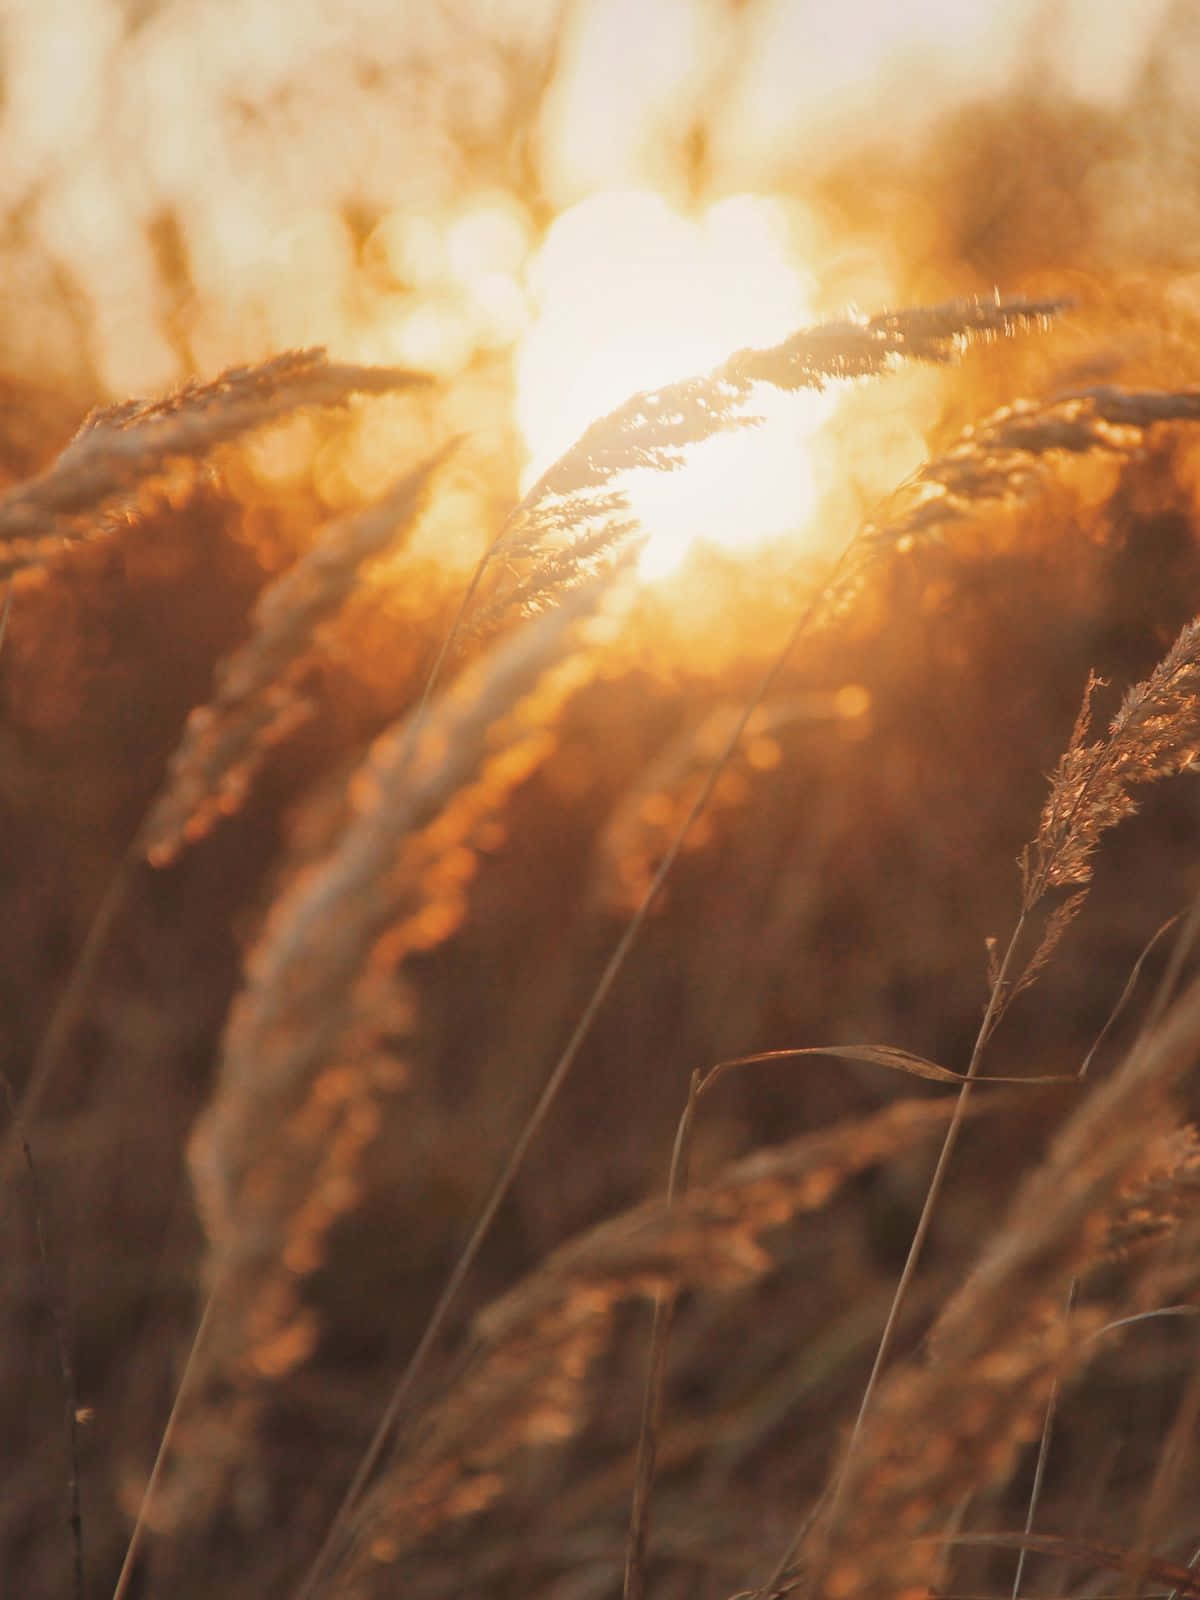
column 954, row 1426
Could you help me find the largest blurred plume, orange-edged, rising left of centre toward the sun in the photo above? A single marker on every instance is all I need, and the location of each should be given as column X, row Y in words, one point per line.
column 311, row 1042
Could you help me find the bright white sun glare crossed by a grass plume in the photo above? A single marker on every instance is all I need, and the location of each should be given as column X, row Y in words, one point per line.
column 631, row 295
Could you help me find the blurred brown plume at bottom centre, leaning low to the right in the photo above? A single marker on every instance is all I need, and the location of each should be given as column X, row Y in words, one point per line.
column 527, row 1377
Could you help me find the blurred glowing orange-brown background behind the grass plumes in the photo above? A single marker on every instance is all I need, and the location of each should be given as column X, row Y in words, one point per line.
column 545, row 206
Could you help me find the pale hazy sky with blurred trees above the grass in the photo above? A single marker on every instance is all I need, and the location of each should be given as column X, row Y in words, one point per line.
column 551, row 206
